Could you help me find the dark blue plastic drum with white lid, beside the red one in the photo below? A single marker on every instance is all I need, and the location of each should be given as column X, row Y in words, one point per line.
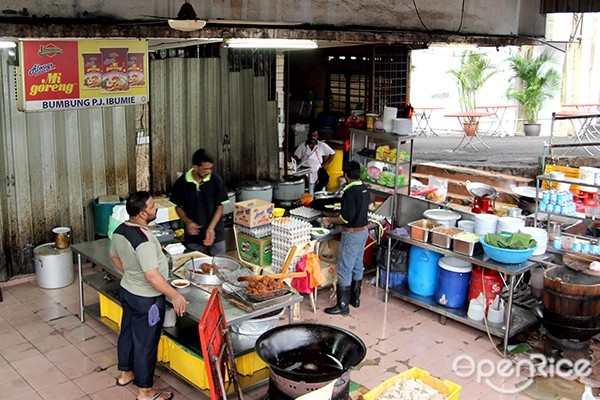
column 452, row 285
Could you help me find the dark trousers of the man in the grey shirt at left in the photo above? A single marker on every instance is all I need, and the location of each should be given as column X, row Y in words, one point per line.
column 137, row 346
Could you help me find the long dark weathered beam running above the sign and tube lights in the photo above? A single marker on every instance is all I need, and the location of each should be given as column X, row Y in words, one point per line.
column 29, row 28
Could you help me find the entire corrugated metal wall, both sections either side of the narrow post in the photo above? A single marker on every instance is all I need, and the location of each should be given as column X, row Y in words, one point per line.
column 53, row 164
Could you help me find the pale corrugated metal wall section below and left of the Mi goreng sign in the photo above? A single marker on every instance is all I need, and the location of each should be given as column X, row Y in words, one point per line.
column 53, row 164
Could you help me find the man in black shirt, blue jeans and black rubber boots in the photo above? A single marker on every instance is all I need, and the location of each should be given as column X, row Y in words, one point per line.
column 354, row 218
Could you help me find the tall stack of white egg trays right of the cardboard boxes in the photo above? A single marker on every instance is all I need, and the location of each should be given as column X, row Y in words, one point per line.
column 288, row 232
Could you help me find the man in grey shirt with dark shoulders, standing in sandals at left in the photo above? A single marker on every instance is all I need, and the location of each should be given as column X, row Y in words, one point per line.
column 136, row 252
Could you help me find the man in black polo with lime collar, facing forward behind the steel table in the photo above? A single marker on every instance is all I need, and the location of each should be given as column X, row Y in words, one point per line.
column 199, row 195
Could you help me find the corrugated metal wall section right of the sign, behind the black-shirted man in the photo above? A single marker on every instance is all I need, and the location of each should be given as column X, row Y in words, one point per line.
column 202, row 102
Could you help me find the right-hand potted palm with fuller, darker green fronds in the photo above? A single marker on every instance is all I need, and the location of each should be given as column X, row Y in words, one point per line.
column 537, row 82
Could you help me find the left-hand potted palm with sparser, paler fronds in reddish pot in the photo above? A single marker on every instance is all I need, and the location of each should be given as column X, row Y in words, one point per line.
column 475, row 69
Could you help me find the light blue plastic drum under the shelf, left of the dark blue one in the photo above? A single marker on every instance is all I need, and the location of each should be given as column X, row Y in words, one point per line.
column 422, row 270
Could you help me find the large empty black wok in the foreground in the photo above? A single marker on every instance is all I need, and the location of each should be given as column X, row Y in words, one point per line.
column 310, row 353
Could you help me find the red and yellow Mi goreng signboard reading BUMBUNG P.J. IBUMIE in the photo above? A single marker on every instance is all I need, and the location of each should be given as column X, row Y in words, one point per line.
column 68, row 74
